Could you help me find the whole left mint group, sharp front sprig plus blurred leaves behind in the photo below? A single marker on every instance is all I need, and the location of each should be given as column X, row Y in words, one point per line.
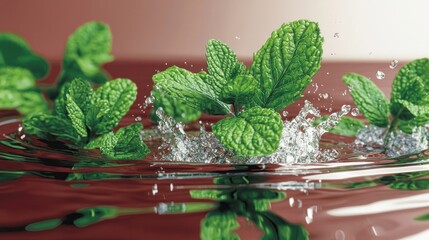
column 80, row 115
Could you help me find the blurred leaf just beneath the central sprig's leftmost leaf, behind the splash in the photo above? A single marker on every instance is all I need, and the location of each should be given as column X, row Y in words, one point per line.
column 172, row 107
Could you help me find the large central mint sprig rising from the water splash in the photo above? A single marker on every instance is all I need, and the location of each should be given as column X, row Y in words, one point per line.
column 280, row 72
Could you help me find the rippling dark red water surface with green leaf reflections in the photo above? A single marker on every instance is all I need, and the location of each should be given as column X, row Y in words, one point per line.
column 51, row 191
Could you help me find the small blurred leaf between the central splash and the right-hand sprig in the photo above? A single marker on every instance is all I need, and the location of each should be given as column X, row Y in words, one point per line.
column 347, row 126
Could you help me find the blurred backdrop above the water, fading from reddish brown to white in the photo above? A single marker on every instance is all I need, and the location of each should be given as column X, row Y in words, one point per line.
column 365, row 30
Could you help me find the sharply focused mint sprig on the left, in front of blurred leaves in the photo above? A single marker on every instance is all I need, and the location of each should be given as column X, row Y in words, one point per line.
column 87, row 117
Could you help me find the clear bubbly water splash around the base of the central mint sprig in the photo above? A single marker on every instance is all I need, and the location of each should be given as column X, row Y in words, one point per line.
column 299, row 142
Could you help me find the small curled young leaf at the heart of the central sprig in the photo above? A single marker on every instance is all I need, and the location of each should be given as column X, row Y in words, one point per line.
column 241, row 90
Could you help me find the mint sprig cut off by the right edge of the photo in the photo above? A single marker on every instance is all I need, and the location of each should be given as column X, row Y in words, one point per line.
column 409, row 102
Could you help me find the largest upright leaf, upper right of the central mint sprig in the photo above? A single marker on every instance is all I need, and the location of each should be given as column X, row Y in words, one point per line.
column 286, row 63
